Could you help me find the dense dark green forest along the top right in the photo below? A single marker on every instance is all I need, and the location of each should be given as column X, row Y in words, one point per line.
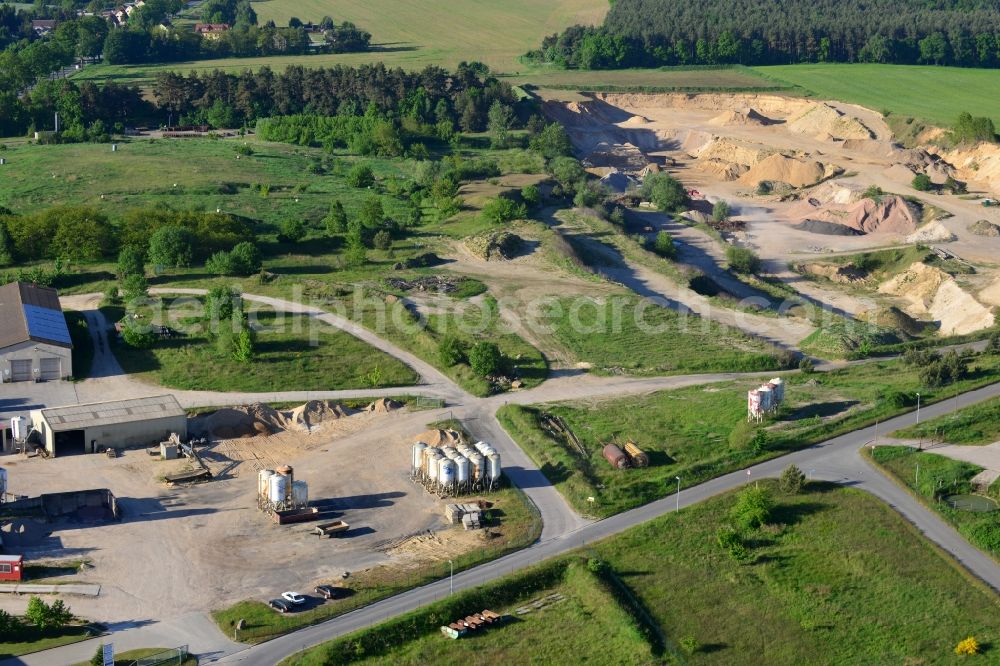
column 653, row 33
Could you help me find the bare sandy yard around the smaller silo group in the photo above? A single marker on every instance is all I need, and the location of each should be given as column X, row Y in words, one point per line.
column 183, row 549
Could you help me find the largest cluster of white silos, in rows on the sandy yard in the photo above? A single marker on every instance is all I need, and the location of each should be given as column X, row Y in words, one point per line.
column 456, row 470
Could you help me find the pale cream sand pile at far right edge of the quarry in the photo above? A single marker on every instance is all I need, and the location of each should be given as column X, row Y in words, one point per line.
column 930, row 291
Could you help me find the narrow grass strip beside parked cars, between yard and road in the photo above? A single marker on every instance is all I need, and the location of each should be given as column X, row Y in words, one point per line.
column 515, row 524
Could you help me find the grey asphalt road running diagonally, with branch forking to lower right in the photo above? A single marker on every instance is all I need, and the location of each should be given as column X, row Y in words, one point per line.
column 838, row 460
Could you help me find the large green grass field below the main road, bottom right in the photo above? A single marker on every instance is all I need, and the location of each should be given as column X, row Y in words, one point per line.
column 830, row 581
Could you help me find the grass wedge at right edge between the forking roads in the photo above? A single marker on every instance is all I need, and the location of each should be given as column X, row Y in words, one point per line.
column 933, row 478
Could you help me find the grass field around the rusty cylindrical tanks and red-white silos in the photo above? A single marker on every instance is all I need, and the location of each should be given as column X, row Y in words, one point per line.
column 700, row 432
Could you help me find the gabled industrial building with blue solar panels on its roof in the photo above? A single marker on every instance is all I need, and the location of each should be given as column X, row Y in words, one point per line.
column 34, row 338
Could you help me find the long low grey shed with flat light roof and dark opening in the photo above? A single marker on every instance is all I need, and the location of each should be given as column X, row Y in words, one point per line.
column 116, row 424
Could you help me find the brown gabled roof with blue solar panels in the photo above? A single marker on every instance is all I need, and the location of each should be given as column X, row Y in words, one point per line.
column 20, row 305
